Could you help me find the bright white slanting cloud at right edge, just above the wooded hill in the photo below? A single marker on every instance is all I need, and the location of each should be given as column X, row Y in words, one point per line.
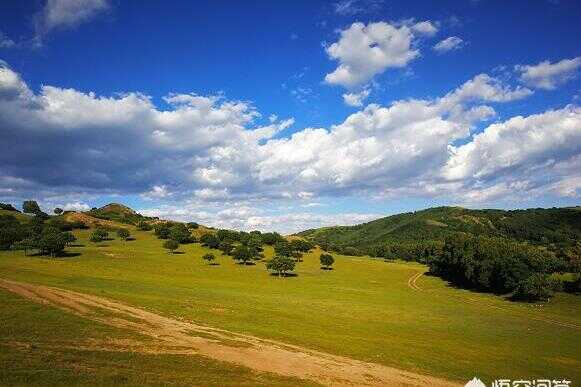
column 520, row 146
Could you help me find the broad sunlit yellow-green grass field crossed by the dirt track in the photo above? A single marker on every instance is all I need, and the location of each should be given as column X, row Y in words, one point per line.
column 363, row 309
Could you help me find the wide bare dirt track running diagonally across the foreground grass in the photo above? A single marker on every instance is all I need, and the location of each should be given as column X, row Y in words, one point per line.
column 261, row 355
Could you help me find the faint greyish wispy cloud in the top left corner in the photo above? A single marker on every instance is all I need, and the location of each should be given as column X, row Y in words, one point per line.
column 65, row 14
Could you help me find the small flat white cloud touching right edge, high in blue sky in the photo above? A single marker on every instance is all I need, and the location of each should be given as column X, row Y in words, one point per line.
column 547, row 75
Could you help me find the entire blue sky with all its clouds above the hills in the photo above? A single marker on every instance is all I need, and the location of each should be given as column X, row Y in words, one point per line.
column 289, row 115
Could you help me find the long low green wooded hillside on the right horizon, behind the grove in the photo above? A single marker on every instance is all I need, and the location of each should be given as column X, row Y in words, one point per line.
column 561, row 226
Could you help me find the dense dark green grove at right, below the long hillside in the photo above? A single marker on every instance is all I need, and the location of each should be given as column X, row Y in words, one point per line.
column 499, row 265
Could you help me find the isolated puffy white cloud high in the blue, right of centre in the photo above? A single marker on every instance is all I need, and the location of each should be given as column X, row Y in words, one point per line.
column 364, row 51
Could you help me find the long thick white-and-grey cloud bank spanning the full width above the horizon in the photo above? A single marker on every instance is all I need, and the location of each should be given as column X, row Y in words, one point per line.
column 206, row 149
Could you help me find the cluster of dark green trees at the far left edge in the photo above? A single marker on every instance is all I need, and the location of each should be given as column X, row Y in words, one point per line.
column 46, row 236
